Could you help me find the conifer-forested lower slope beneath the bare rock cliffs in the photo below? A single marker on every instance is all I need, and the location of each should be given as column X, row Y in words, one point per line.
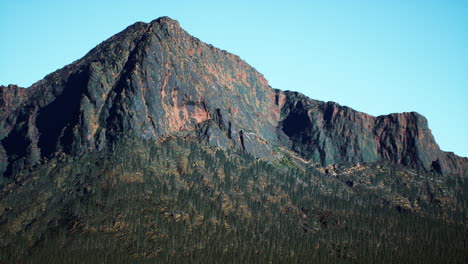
column 179, row 202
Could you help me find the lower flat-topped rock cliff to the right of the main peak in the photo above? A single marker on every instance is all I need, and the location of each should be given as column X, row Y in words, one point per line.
column 328, row 133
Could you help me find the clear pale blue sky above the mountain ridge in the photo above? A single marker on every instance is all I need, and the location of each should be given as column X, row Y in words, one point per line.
column 377, row 57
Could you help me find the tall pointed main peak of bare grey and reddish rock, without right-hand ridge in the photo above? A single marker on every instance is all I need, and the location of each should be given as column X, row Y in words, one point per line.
column 152, row 80
